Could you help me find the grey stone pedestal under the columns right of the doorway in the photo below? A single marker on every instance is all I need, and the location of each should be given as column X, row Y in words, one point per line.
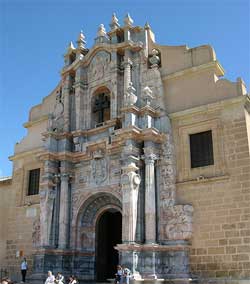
column 153, row 263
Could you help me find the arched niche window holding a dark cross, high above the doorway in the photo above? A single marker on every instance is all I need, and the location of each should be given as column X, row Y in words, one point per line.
column 101, row 108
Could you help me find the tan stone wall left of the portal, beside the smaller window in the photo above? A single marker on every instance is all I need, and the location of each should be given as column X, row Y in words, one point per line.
column 19, row 219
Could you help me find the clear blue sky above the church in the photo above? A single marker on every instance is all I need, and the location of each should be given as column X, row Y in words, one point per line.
column 34, row 35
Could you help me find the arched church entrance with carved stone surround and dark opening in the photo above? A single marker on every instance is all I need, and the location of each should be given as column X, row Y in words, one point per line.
column 95, row 213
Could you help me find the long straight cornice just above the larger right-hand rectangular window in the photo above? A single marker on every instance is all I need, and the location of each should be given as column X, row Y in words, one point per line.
column 208, row 107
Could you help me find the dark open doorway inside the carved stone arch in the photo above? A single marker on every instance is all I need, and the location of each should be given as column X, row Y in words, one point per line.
column 109, row 234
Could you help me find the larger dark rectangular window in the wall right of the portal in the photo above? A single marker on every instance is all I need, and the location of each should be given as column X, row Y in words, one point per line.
column 201, row 149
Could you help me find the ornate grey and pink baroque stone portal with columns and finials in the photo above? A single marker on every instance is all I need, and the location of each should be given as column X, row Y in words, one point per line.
column 108, row 189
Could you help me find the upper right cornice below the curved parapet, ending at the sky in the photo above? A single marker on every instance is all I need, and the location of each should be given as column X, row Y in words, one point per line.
column 219, row 71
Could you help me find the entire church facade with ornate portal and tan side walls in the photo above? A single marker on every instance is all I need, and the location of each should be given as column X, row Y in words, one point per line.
column 139, row 156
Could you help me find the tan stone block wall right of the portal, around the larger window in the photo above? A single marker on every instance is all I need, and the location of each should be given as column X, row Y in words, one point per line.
column 220, row 195
